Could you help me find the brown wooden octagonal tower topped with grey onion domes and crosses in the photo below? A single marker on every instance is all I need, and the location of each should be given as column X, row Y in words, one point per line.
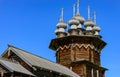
column 79, row 48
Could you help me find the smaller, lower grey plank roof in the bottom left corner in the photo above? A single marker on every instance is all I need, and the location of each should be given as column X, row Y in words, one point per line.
column 14, row 67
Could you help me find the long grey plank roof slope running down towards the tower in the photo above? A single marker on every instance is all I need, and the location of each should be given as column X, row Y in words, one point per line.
column 34, row 60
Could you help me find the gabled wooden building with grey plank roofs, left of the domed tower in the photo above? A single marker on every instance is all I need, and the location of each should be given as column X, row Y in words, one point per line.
column 15, row 62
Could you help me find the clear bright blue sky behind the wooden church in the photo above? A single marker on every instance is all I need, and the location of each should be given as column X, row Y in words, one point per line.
column 30, row 25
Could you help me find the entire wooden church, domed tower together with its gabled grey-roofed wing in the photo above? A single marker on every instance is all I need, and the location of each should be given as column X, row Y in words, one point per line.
column 78, row 51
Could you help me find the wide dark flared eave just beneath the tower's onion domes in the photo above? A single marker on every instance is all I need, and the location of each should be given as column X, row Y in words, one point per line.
column 96, row 41
